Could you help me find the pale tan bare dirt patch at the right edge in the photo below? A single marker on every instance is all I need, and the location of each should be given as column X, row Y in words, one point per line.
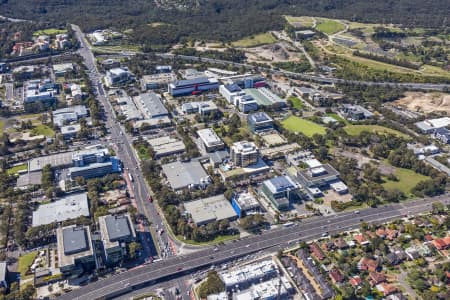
column 425, row 102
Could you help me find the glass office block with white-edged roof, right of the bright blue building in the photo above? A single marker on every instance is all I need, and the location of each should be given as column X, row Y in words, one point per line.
column 280, row 191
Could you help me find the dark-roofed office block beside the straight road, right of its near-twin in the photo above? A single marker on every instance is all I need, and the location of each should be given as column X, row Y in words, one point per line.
column 117, row 231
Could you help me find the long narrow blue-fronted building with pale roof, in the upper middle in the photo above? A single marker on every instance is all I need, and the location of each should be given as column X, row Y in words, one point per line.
column 192, row 86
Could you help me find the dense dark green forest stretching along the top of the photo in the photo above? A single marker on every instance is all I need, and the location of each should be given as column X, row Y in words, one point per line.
column 221, row 20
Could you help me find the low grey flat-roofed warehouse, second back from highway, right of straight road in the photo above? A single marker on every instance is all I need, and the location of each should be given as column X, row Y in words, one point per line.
column 183, row 175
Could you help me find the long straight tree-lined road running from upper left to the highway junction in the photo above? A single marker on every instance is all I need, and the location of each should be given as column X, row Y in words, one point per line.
column 125, row 151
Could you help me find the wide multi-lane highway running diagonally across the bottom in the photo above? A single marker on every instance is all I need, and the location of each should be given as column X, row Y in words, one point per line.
column 275, row 239
